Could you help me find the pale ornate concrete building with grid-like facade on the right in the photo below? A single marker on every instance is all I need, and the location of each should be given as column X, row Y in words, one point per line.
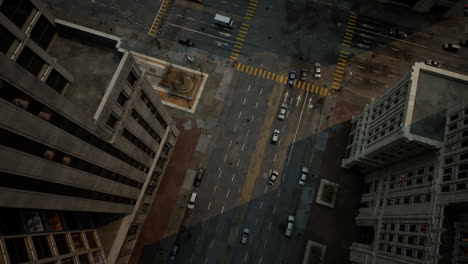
column 412, row 145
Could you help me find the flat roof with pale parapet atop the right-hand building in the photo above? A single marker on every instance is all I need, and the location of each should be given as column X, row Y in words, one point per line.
column 436, row 91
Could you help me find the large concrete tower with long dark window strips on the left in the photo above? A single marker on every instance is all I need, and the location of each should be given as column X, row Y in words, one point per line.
column 84, row 141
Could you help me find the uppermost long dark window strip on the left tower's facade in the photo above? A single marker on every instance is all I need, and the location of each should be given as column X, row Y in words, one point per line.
column 20, row 99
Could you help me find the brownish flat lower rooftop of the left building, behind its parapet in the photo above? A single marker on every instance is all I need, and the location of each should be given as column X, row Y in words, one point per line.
column 92, row 65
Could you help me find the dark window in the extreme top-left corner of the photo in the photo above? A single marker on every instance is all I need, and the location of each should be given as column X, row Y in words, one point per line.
column 17, row 10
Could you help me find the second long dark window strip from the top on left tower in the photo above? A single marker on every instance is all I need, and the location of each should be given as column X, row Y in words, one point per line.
column 18, row 142
